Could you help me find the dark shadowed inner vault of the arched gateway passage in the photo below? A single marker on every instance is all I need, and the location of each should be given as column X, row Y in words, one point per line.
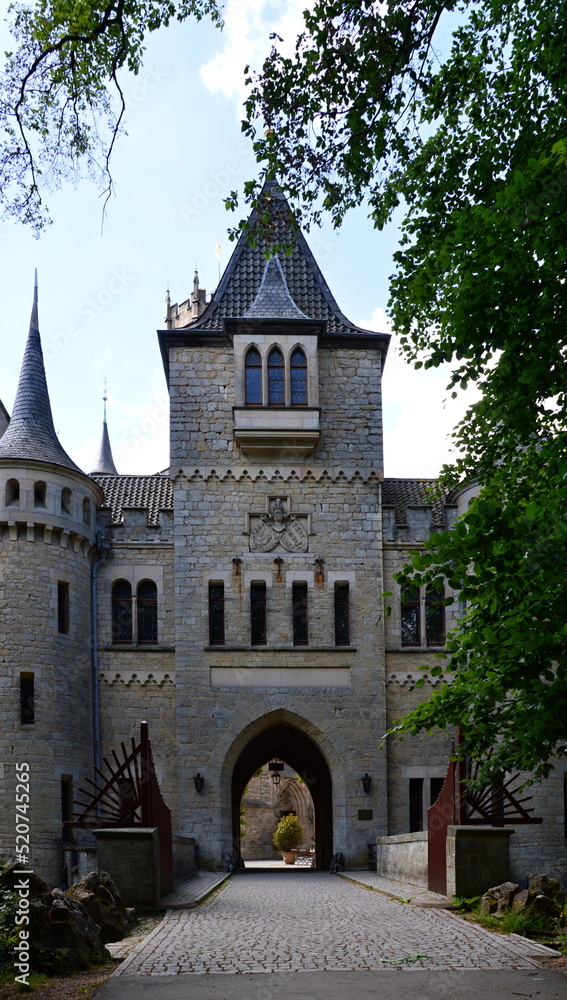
column 305, row 757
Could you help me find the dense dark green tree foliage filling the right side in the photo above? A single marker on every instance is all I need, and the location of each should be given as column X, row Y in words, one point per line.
column 471, row 143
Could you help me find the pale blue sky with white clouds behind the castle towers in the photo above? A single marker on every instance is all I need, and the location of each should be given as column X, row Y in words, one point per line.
column 102, row 283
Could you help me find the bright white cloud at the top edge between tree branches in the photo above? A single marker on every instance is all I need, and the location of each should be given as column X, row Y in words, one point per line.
column 248, row 24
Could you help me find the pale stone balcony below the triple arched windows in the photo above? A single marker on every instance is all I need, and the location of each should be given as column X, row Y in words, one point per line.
column 276, row 432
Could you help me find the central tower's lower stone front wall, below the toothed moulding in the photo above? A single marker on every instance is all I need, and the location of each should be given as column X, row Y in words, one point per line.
column 225, row 692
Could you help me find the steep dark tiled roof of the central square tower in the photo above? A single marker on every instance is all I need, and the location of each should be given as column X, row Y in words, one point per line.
column 239, row 288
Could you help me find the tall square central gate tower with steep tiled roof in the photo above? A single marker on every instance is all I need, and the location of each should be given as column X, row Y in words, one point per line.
column 276, row 462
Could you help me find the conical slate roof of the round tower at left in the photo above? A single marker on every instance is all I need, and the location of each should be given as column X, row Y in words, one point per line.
column 30, row 433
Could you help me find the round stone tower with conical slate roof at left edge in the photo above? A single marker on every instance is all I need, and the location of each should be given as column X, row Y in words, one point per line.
column 47, row 534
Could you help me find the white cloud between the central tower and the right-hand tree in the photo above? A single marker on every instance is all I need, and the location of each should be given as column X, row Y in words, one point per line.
column 419, row 414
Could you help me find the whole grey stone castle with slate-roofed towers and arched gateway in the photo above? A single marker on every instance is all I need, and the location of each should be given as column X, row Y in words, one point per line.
column 234, row 602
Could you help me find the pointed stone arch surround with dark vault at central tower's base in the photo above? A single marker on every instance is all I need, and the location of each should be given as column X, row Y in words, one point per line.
column 294, row 739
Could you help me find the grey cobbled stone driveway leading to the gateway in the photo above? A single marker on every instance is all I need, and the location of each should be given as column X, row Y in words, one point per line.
column 277, row 922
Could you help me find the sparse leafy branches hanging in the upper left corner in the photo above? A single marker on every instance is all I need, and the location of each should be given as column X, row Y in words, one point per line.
column 61, row 100
